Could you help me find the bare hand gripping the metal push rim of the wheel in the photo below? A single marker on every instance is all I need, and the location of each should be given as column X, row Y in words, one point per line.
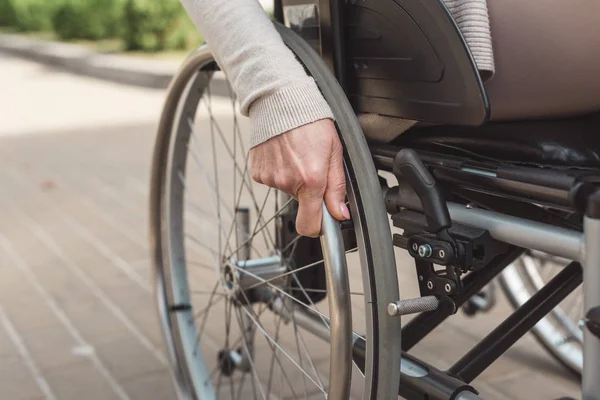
column 306, row 163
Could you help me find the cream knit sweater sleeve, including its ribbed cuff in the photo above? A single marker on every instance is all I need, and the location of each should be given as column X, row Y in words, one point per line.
column 272, row 86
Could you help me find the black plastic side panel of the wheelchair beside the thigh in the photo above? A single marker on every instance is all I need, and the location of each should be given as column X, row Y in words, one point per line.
column 407, row 58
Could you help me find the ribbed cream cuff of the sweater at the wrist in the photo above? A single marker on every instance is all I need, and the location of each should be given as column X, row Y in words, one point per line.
column 287, row 109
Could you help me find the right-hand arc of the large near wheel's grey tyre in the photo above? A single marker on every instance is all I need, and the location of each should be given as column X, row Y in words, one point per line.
column 383, row 351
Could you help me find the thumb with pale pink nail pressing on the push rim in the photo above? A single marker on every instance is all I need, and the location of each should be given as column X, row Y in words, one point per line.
column 335, row 193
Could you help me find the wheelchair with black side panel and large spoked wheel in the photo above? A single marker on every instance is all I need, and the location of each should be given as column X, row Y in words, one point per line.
column 249, row 309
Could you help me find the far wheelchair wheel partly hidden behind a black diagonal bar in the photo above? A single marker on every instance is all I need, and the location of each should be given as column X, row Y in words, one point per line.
column 559, row 331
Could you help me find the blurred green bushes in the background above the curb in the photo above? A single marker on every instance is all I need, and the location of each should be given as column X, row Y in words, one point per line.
column 142, row 25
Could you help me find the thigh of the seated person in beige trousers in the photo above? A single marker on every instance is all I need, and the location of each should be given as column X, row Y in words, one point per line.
column 547, row 57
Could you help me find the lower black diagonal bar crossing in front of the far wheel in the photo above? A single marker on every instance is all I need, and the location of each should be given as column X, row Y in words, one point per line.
column 517, row 324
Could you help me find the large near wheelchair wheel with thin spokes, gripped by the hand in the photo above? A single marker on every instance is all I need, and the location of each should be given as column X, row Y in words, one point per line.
column 242, row 300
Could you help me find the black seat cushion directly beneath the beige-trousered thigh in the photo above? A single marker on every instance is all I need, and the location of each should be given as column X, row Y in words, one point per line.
column 565, row 143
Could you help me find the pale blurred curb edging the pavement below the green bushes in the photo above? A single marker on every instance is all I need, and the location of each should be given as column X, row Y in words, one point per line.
column 78, row 59
